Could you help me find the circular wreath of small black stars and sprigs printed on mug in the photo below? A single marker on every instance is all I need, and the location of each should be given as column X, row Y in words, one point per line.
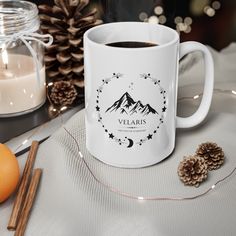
column 126, row 140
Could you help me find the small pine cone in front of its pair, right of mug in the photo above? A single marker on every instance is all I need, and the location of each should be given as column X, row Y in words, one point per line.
column 192, row 170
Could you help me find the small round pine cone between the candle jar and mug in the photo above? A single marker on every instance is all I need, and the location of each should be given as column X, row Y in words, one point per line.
column 63, row 93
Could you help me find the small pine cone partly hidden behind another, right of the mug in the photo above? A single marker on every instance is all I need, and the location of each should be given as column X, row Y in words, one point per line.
column 212, row 153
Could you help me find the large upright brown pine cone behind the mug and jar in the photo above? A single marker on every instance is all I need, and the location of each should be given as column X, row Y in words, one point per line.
column 66, row 21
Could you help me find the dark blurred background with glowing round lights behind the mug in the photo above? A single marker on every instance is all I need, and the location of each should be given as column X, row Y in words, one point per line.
column 212, row 22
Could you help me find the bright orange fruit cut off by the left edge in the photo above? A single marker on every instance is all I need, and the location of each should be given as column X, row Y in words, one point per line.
column 9, row 172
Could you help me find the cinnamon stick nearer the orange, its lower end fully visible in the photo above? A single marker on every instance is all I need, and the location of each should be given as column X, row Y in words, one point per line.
column 23, row 186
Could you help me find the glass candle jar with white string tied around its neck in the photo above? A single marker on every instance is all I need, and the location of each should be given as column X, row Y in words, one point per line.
column 22, row 70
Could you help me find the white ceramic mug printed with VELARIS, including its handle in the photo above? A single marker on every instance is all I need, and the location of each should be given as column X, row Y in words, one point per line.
column 131, row 93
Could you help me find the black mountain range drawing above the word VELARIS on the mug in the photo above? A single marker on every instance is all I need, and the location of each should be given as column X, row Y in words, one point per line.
column 127, row 105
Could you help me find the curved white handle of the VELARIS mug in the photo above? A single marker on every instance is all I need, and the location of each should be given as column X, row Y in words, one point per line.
column 204, row 107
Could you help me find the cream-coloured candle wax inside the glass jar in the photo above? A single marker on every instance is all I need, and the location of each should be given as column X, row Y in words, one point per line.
column 20, row 91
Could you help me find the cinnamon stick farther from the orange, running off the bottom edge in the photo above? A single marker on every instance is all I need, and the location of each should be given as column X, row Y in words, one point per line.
column 29, row 200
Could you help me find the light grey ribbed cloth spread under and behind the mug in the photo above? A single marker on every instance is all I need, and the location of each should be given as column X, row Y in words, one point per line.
column 70, row 202
